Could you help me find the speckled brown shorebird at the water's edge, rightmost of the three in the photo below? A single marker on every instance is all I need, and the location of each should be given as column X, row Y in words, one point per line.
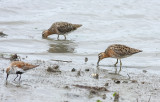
column 117, row 51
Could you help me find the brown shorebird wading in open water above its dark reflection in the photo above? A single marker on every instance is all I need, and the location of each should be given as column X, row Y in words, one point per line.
column 60, row 28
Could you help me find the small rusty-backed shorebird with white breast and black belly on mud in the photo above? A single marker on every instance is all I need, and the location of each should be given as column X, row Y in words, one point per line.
column 18, row 67
